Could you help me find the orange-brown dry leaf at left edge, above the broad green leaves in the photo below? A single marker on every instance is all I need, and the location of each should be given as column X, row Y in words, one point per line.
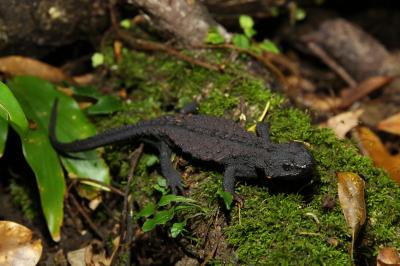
column 19, row 65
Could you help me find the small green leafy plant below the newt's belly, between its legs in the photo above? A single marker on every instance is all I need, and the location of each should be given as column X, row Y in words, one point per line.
column 167, row 208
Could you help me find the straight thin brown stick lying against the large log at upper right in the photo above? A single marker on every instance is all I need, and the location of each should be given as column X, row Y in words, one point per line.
column 331, row 63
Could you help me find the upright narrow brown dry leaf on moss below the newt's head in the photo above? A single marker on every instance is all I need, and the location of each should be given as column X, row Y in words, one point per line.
column 351, row 197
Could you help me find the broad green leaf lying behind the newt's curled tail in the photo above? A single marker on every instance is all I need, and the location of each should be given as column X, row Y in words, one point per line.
column 71, row 123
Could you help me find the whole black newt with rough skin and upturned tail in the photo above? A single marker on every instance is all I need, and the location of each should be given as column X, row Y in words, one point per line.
column 206, row 138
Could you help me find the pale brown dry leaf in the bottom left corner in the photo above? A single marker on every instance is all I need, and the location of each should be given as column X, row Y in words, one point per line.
column 17, row 246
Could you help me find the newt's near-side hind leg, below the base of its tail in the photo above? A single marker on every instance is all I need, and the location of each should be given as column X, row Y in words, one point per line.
column 173, row 177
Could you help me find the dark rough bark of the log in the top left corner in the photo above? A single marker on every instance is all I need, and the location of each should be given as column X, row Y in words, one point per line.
column 35, row 27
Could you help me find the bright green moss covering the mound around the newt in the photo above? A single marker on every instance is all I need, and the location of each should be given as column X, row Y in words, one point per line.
column 273, row 229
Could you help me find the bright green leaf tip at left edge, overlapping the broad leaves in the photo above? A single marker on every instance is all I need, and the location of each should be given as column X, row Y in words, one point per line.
column 11, row 111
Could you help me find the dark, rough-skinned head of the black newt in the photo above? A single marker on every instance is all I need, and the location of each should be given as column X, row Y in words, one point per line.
column 289, row 161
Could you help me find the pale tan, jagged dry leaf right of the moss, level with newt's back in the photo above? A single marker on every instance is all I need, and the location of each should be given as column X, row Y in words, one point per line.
column 344, row 122
